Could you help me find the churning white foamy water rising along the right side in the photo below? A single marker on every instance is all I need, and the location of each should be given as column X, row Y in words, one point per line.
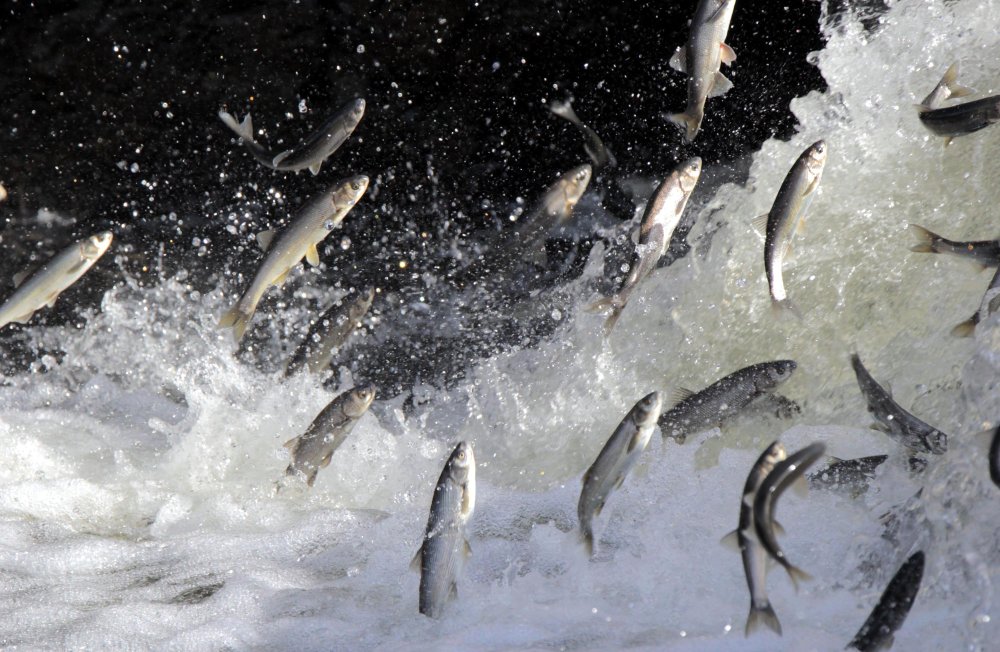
column 137, row 482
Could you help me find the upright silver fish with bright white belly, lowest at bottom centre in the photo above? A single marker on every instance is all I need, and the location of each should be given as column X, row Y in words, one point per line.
column 445, row 547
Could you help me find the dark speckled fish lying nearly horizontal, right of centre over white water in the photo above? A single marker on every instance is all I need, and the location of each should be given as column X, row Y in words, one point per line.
column 695, row 412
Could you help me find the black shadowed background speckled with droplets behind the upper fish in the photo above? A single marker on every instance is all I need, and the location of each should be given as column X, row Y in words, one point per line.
column 109, row 118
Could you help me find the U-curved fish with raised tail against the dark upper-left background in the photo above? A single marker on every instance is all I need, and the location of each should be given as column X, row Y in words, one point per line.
column 313, row 151
